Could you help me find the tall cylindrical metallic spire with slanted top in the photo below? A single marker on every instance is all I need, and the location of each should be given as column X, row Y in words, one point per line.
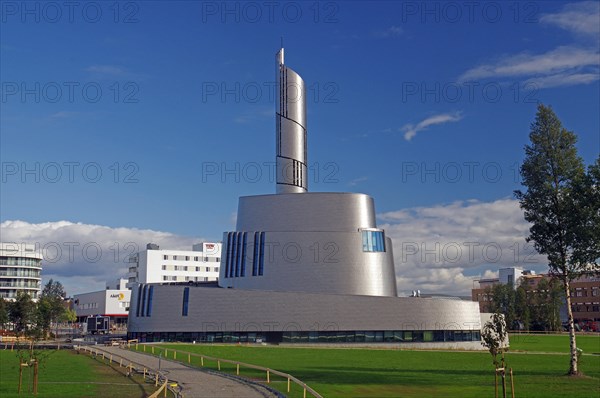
column 290, row 118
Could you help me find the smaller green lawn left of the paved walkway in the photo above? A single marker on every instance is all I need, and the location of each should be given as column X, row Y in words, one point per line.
column 64, row 373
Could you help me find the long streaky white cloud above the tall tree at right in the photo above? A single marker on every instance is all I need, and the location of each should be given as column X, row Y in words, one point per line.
column 562, row 60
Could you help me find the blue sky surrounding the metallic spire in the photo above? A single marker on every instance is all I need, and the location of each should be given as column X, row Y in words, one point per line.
column 426, row 106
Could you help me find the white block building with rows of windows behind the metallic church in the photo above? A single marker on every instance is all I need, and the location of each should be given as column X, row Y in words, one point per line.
column 153, row 265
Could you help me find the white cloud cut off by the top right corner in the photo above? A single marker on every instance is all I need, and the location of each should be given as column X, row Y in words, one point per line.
column 581, row 18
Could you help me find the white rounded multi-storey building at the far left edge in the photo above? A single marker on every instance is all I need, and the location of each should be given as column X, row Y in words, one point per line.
column 20, row 270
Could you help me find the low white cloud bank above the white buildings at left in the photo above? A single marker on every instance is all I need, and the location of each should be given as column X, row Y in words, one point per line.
column 84, row 256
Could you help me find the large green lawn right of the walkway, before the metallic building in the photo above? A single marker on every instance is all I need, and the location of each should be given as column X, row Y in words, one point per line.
column 403, row 373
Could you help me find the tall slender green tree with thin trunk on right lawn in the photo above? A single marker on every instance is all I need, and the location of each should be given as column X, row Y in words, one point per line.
column 561, row 203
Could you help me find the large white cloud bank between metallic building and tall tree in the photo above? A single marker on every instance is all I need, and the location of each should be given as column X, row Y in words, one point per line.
column 441, row 249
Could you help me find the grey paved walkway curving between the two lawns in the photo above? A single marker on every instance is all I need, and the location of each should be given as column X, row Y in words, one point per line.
column 194, row 382
